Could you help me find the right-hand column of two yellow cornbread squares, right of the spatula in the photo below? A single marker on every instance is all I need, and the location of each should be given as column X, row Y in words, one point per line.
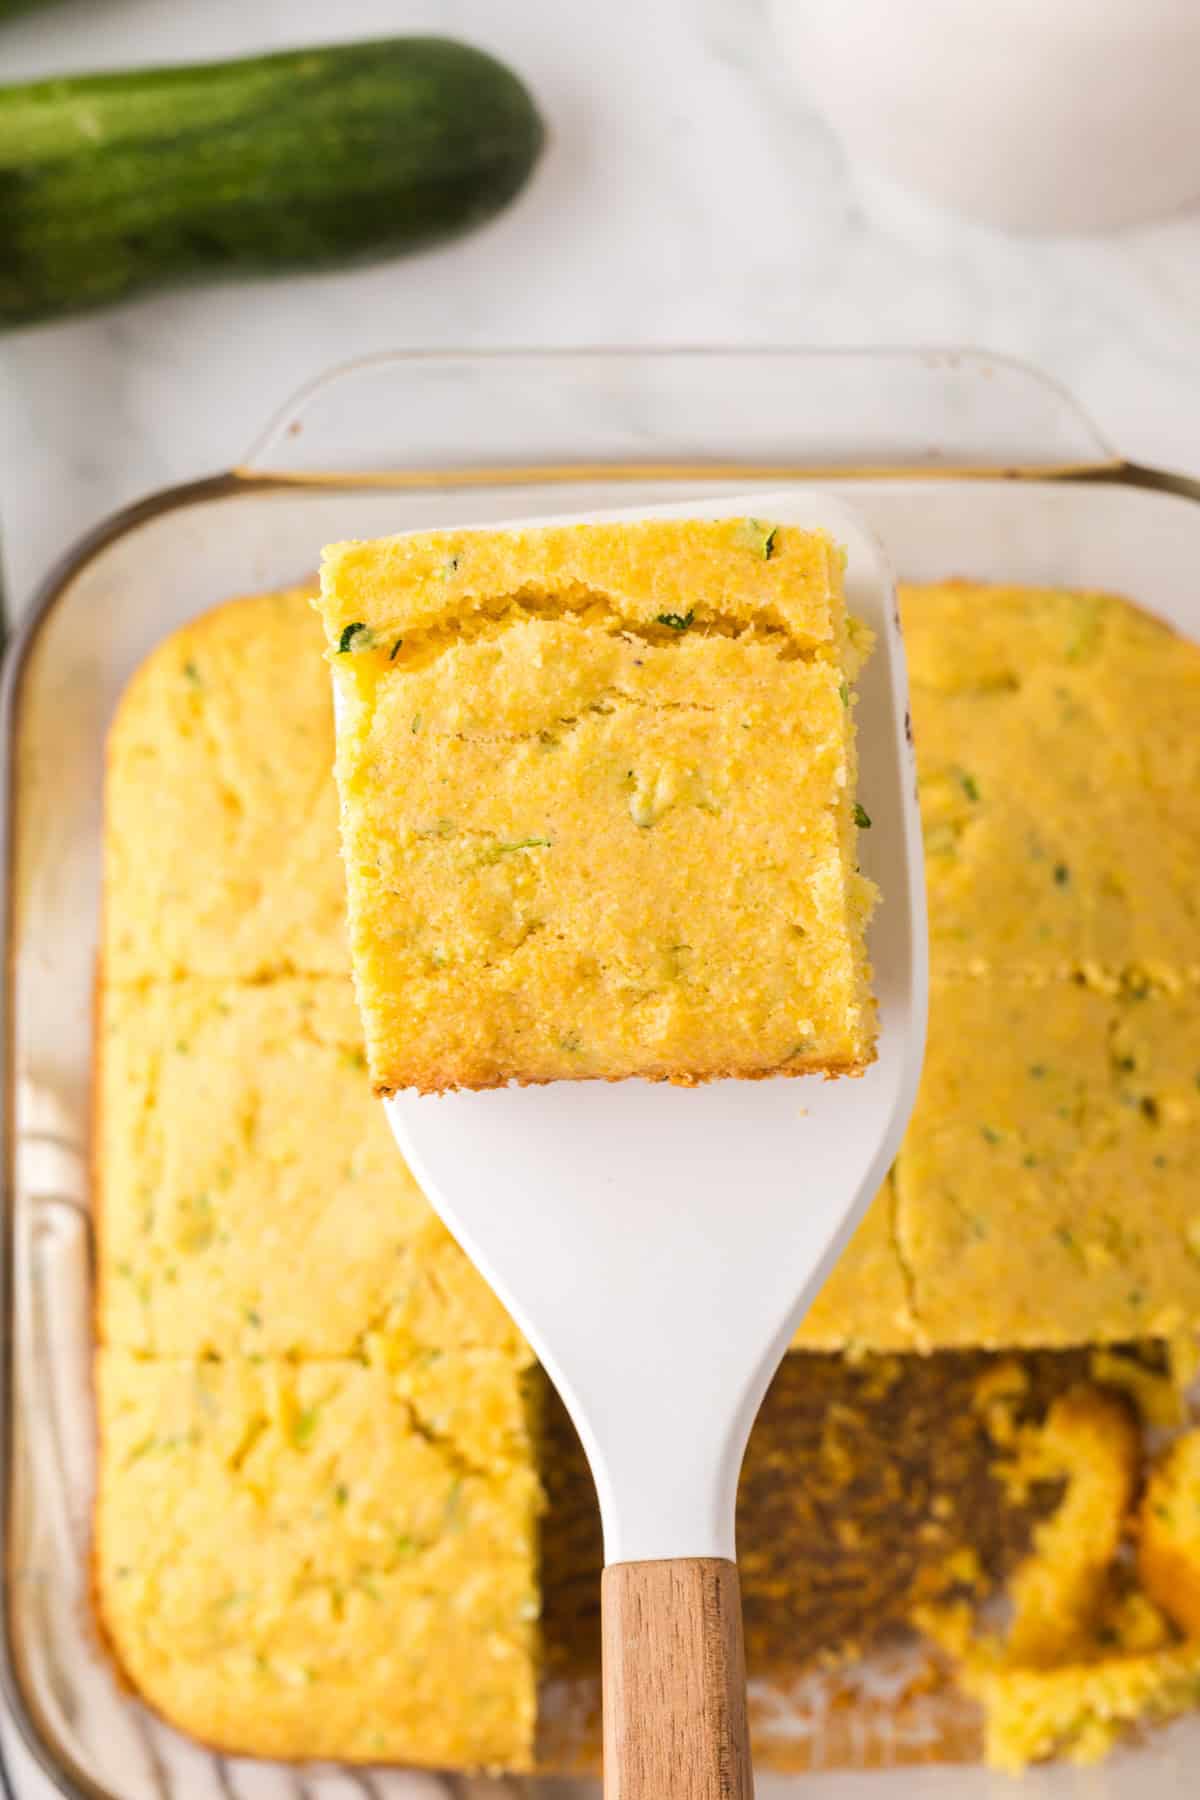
column 1046, row 1187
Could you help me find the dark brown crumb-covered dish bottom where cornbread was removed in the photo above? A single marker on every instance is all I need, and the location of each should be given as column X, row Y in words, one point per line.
column 868, row 1488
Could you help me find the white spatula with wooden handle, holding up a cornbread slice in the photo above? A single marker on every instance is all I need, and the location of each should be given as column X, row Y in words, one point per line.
column 661, row 1245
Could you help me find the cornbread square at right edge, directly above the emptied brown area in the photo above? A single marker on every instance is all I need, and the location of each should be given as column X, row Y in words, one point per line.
column 1046, row 1185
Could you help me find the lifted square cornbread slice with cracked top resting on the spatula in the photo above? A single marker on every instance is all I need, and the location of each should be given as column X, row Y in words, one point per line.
column 598, row 804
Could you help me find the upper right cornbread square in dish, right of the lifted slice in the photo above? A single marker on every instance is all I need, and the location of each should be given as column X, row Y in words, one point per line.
column 1059, row 750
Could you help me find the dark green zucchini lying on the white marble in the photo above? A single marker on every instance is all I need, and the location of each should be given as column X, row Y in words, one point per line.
column 310, row 159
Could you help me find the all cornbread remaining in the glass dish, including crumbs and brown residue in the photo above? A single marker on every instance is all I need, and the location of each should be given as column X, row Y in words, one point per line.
column 298, row 1363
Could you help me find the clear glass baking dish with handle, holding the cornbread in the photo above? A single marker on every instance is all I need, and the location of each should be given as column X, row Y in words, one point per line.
column 963, row 465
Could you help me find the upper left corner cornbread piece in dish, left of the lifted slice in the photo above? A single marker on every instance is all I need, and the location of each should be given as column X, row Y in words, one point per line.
column 220, row 807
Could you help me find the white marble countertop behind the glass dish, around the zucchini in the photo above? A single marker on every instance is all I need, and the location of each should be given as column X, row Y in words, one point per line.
column 686, row 197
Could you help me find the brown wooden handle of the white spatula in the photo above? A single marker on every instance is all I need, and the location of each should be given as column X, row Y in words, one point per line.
column 676, row 1682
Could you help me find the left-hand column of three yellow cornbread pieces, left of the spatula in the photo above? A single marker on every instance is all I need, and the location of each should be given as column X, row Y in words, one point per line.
column 318, row 1493
